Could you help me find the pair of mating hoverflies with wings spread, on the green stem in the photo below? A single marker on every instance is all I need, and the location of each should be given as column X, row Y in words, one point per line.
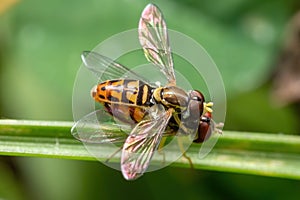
column 152, row 111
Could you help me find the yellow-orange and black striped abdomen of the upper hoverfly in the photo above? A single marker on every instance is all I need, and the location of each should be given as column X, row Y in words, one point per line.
column 123, row 91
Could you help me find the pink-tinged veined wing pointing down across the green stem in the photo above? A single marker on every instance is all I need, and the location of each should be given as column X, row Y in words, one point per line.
column 142, row 143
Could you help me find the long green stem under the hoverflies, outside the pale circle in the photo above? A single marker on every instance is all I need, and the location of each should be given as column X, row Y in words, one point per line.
column 274, row 155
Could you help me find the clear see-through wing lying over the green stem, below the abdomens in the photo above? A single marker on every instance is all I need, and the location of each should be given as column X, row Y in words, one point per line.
column 99, row 127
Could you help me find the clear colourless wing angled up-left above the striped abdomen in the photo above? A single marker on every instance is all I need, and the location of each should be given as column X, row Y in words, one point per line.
column 107, row 69
